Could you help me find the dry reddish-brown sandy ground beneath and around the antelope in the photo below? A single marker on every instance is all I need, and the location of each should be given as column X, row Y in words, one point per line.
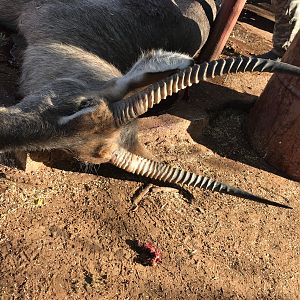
column 69, row 234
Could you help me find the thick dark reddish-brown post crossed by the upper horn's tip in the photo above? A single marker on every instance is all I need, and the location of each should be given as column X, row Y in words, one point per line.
column 274, row 122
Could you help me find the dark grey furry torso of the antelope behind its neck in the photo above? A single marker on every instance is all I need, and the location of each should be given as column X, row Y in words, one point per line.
column 115, row 30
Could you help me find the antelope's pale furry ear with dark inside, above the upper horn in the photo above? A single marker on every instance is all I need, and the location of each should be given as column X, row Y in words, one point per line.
column 152, row 67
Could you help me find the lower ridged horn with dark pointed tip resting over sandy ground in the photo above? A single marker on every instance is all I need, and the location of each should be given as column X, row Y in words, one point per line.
column 152, row 169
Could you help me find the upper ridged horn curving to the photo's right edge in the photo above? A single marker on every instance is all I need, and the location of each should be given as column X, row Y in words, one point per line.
column 136, row 105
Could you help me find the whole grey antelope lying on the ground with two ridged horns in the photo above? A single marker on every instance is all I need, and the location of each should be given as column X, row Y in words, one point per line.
column 79, row 79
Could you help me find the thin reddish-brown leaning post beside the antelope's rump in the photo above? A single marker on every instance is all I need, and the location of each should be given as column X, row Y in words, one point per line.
column 223, row 25
